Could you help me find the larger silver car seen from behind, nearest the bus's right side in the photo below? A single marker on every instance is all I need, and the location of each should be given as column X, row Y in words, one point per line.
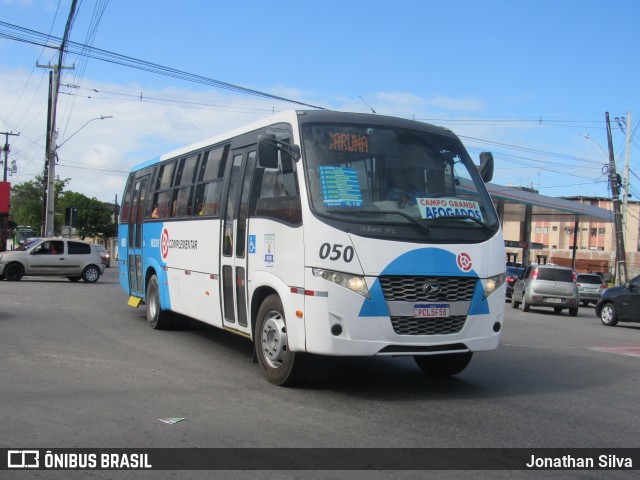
column 547, row 286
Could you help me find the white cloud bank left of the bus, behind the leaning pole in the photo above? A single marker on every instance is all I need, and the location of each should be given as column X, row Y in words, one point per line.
column 97, row 154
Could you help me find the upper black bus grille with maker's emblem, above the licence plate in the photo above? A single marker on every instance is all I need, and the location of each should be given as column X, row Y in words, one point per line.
column 412, row 288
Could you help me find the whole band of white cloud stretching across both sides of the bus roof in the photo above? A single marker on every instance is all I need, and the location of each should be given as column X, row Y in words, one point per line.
column 96, row 155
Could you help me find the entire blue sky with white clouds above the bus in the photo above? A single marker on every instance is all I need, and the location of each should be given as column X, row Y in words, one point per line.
column 529, row 80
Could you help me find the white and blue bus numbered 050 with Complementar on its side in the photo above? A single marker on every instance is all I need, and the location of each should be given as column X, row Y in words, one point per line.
column 321, row 232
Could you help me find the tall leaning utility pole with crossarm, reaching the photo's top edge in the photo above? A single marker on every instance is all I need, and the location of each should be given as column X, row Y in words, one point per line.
column 50, row 156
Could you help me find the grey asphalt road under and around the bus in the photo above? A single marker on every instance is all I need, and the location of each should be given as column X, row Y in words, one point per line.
column 81, row 369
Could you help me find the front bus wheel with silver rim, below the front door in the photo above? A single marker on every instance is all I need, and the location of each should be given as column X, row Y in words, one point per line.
column 279, row 365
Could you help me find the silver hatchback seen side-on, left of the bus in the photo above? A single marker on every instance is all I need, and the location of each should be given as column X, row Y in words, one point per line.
column 58, row 257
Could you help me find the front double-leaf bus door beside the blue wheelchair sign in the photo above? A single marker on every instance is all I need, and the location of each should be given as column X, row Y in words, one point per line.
column 233, row 257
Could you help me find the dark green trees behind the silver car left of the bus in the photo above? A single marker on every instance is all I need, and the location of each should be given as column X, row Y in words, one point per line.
column 94, row 216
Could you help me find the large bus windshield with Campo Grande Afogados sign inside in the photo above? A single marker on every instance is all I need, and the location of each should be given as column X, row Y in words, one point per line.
column 388, row 175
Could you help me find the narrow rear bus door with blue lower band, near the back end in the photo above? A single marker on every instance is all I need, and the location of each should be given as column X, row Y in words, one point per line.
column 136, row 220
